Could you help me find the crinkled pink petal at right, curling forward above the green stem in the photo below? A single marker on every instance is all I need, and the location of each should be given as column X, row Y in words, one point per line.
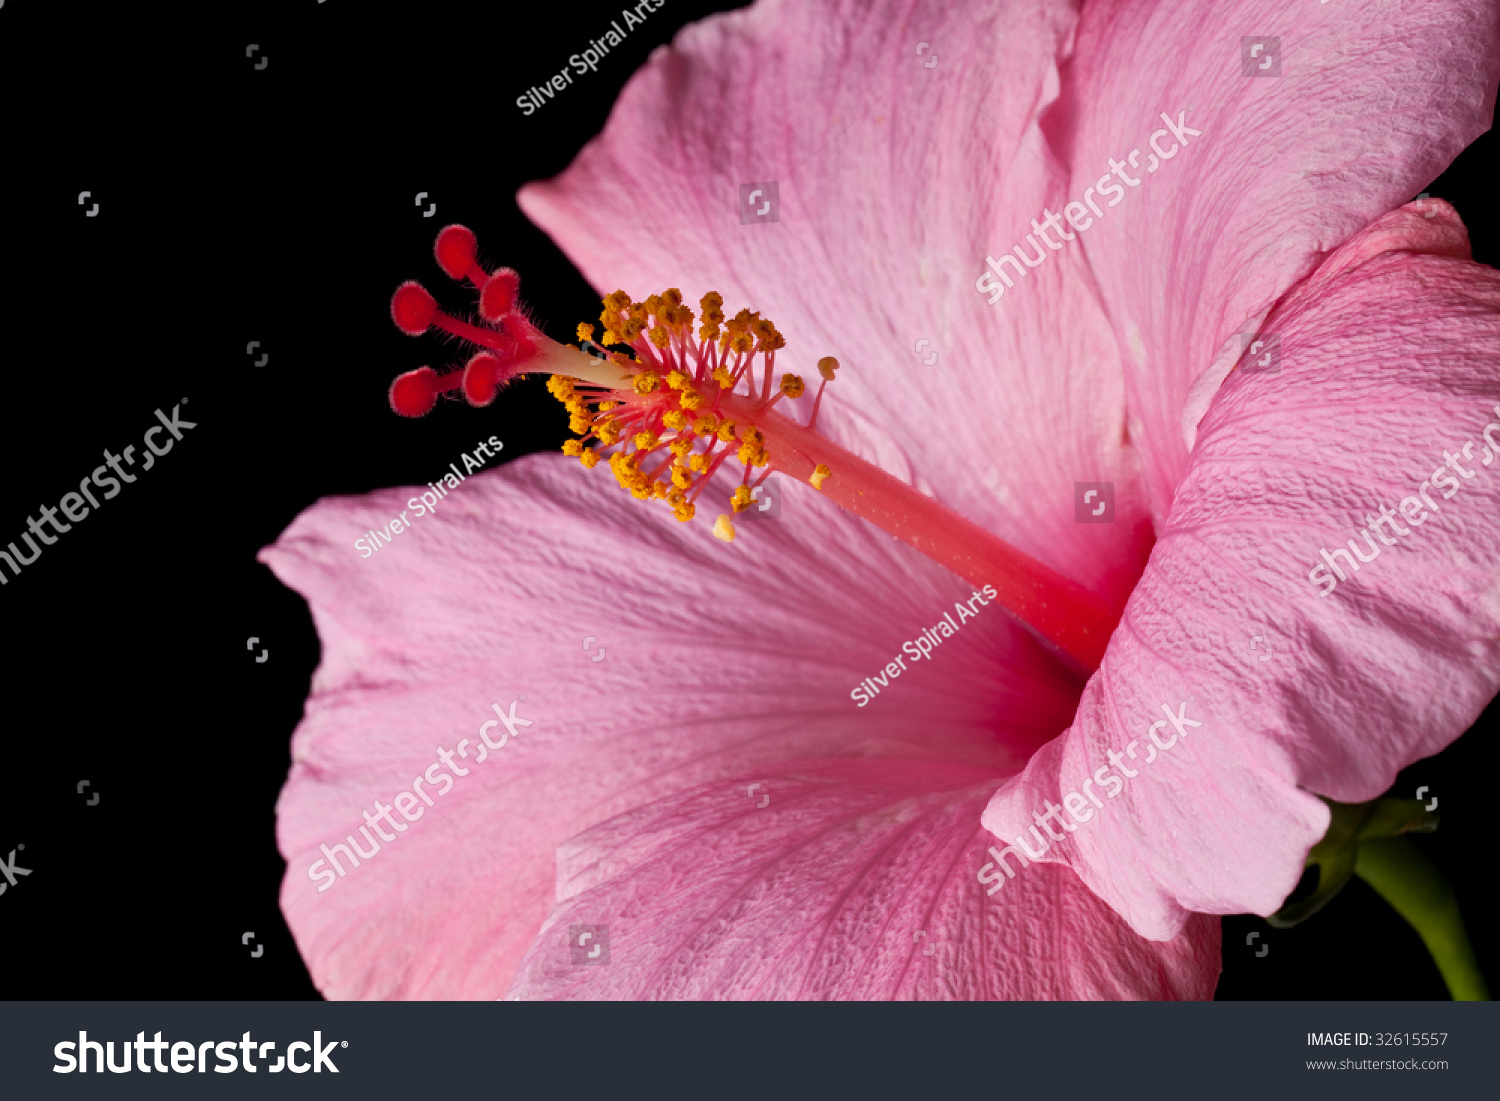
column 1388, row 361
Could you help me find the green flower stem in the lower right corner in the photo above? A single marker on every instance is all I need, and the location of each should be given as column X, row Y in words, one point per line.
column 1420, row 893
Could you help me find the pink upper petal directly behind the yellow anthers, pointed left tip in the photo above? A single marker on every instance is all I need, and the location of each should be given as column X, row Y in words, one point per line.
column 895, row 181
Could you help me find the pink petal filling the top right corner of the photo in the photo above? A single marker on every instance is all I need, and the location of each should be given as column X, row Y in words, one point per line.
column 1373, row 101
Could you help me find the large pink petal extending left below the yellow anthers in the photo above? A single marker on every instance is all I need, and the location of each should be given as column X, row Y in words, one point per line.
column 718, row 661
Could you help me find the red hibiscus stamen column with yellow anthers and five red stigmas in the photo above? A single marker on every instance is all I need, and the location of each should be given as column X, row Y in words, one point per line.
column 686, row 401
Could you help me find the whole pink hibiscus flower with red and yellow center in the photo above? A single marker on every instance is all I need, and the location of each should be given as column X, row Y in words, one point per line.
column 478, row 809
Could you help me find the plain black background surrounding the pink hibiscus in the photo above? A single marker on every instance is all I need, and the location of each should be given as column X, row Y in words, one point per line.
column 278, row 206
